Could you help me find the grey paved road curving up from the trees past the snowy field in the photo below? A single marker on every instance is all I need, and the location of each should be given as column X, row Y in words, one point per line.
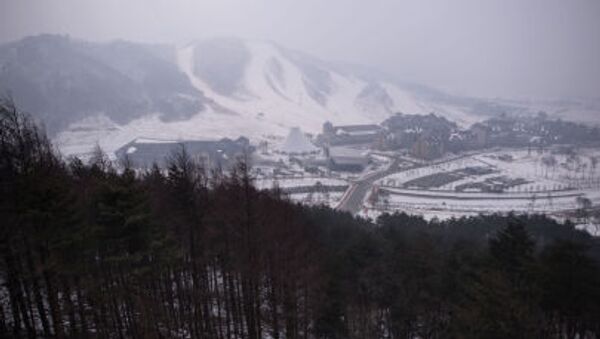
column 352, row 200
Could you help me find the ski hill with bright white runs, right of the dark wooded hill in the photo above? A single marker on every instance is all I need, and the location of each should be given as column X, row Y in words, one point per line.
column 266, row 84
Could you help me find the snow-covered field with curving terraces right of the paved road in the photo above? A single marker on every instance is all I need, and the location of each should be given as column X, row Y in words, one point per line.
column 550, row 189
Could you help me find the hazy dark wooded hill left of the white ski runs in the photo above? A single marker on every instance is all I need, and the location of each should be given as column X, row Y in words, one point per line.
column 61, row 81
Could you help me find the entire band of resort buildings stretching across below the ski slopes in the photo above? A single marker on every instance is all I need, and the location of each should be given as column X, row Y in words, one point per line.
column 346, row 147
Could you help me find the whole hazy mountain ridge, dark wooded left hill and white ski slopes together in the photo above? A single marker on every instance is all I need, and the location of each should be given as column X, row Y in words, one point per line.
column 110, row 93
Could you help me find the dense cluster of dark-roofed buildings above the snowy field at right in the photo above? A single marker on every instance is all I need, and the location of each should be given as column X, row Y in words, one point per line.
column 430, row 136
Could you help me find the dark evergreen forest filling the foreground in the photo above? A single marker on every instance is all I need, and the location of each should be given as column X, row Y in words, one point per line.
column 91, row 251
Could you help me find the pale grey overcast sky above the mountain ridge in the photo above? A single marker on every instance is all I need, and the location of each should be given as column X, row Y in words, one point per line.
column 495, row 48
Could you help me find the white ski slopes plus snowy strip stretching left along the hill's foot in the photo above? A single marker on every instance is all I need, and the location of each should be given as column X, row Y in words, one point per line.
column 260, row 90
